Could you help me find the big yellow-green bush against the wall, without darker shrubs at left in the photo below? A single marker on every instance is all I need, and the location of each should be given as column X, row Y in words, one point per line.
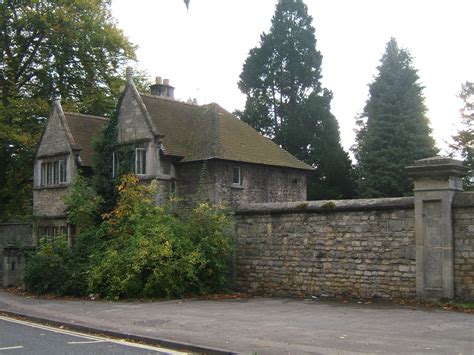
column 154, row 252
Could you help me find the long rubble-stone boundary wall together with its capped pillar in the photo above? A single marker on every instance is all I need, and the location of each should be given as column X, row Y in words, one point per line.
column 421, row 246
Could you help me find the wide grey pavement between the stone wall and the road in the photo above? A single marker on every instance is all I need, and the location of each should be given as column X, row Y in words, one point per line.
column 260, row 325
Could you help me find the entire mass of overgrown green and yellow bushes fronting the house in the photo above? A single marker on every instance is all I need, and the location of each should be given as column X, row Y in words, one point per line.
column 138, row 250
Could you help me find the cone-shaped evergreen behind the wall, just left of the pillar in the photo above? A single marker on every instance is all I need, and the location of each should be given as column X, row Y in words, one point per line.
column 393, row 129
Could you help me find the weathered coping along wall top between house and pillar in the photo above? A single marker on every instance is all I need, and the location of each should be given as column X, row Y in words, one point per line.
column 326, row 206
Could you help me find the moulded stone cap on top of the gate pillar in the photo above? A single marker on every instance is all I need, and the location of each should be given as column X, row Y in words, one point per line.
column 436, row 167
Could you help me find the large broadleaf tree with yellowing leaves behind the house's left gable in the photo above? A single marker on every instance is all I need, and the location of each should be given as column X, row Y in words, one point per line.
column 72, row 49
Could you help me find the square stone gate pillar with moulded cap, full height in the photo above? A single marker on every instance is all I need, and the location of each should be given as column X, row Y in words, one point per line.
column 436, row 181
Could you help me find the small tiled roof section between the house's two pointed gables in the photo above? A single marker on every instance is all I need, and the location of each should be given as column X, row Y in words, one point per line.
column 84, row 128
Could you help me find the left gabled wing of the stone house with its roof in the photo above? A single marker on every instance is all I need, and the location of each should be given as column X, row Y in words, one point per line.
column 65, row 147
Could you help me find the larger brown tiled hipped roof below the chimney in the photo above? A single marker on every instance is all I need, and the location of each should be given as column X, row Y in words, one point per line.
column 210, row 132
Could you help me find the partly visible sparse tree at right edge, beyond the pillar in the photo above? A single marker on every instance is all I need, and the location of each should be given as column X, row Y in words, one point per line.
column 463, row 141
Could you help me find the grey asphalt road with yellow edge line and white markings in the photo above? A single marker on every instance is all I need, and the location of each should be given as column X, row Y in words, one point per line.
column 22, row 337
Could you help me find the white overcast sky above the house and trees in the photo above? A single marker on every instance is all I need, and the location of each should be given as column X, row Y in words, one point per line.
column 202, row 50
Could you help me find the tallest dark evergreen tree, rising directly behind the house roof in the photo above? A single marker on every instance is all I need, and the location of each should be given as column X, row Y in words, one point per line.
column 286, row 102
